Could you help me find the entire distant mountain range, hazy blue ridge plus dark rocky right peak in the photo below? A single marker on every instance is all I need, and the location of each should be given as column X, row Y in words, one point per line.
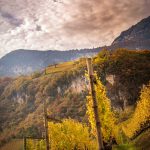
column 22, row 62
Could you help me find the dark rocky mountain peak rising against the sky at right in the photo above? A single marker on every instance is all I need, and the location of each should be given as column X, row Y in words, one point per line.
column 136, row 37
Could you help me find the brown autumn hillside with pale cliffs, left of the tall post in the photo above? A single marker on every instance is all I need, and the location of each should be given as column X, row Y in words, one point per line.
column 22, row 98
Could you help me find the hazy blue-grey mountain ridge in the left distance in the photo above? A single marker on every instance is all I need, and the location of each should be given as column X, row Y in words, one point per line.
column 22, row 62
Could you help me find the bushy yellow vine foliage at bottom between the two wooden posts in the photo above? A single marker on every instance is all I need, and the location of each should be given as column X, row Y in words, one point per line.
column 70, row 134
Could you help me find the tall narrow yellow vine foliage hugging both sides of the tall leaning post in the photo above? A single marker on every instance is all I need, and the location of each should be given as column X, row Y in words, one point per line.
column 106, row 115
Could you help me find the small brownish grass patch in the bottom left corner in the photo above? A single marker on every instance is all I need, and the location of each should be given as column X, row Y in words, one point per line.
column 13, row 145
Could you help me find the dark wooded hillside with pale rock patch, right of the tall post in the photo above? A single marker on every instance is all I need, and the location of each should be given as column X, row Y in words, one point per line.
column 124, row 73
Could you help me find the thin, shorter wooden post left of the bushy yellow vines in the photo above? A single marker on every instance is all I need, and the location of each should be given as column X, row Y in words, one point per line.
column 46, row 127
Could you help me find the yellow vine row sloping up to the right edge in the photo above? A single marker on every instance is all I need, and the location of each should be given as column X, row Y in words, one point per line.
column 141, row 116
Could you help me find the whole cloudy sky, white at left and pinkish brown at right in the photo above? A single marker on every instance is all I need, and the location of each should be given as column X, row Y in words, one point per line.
column 66, row 24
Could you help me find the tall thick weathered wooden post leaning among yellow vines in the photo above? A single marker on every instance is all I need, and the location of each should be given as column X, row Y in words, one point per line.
column 95, row 106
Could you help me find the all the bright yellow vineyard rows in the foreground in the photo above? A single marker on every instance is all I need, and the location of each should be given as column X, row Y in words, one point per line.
column 71, row 134
